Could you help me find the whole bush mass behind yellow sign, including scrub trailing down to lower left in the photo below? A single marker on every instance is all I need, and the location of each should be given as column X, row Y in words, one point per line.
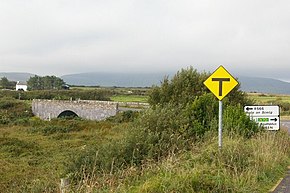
column 182, row 113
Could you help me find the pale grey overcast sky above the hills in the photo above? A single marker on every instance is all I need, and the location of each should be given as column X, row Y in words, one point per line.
column 57, row 37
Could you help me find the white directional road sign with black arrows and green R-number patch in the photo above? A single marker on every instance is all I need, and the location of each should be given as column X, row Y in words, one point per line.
column 266, row 116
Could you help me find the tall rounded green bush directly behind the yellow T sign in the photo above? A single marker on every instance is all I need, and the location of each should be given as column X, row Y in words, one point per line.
column 184, row 106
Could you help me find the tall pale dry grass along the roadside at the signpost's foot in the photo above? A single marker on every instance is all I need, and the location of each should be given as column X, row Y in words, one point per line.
column 243, row 165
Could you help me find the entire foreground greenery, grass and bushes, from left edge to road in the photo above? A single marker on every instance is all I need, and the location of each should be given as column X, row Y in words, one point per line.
column 171, row 147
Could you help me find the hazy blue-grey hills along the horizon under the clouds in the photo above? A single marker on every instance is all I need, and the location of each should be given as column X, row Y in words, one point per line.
column 248, row 84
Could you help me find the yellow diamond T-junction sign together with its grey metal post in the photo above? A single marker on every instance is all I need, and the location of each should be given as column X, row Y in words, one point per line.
column 220, row 83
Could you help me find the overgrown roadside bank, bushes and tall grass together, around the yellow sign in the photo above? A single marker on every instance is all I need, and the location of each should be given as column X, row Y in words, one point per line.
column 182, row 127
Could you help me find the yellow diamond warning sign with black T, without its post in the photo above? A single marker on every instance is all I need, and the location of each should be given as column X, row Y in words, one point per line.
column 221, row 82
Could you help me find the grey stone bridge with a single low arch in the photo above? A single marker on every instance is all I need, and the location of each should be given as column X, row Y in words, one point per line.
column 92, row 110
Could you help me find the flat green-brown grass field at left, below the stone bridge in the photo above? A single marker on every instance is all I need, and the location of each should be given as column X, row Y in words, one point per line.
column 33, row 157
